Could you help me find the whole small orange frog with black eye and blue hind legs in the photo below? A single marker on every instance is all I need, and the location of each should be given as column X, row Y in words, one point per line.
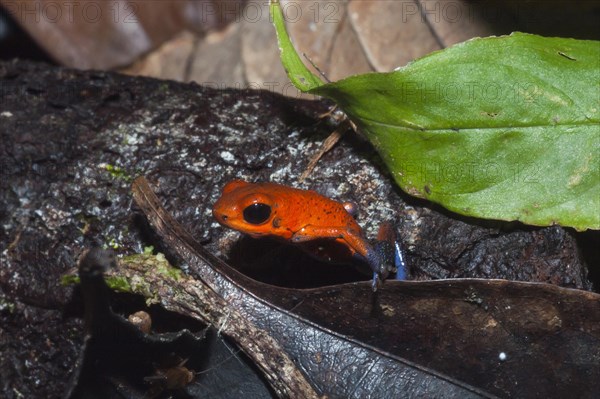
column 324, row 228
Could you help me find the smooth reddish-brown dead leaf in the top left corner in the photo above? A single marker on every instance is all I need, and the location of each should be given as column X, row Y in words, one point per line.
column 107, row 34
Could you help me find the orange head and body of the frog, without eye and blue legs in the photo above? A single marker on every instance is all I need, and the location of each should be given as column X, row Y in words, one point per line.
column 319, row 225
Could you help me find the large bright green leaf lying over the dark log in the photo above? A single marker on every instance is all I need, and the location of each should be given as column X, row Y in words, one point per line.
column 501, row 128
